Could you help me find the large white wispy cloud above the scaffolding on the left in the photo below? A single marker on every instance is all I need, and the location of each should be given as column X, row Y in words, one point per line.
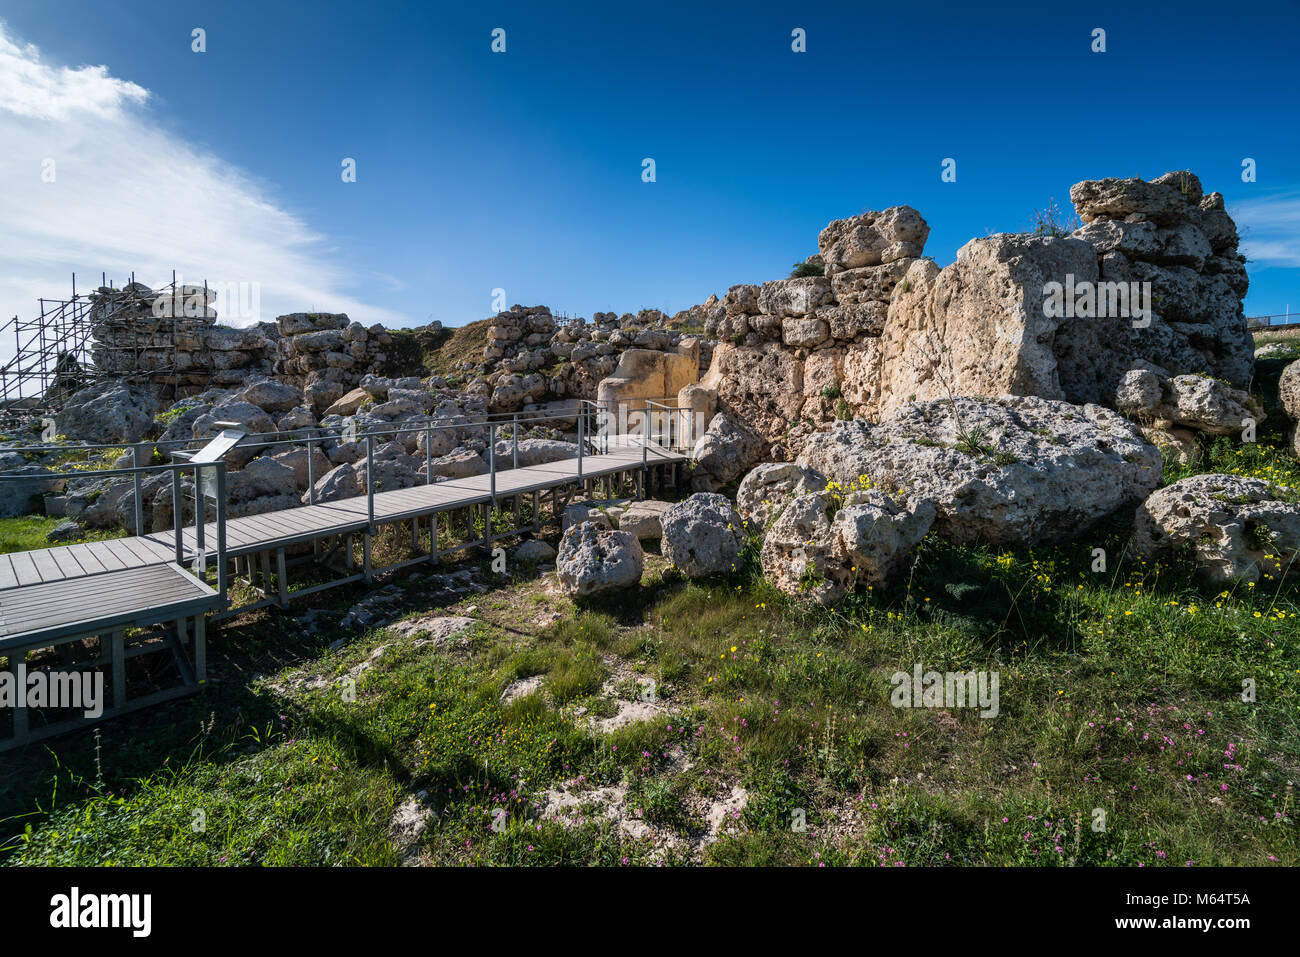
column 129, row 196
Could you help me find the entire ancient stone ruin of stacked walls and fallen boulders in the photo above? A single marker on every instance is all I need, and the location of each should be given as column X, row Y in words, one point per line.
column 1020, row 395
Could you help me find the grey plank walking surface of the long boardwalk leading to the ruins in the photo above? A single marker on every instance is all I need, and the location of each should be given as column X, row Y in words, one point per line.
column 271, row 531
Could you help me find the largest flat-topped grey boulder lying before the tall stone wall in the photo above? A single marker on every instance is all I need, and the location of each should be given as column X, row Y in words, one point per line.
column 1012, row 471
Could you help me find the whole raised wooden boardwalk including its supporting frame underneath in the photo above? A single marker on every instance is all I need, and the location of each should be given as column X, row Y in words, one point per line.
column 119, row 599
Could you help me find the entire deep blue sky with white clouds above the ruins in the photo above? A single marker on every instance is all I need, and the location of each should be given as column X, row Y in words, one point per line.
column 523, row 170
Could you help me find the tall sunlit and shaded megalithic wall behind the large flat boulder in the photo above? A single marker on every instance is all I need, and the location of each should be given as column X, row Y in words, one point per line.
column 886, row 327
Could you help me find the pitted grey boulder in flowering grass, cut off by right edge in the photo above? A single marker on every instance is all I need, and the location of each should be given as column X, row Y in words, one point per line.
column 1240, row 529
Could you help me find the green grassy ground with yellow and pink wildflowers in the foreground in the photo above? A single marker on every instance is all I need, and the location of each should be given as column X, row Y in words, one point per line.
column 1123, row 737
